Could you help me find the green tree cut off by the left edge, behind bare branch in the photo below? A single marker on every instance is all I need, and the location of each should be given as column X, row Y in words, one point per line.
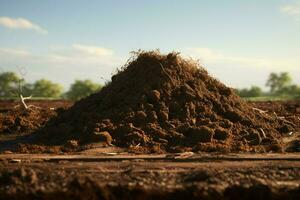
column 9, row 83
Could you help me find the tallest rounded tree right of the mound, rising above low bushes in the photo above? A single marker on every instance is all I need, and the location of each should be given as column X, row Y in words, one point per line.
column 279, row 83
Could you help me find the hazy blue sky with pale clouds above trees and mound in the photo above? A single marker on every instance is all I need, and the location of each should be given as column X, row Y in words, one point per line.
column 238, row 41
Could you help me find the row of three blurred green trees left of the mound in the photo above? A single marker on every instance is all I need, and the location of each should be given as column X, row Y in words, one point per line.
column 12, row 83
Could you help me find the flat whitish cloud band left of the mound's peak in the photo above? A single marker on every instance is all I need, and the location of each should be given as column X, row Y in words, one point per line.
column 67, row 56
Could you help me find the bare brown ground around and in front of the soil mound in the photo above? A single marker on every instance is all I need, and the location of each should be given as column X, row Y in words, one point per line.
column 114, row 173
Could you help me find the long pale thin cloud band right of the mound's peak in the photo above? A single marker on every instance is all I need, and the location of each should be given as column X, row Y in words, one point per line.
column 210, row 56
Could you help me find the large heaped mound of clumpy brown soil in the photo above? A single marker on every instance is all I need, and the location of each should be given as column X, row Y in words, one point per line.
column 166, row 103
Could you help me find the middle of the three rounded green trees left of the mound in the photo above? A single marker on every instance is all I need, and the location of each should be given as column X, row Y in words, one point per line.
column 46, row 88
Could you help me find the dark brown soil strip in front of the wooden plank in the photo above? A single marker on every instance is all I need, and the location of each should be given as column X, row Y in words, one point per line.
column 140, row 179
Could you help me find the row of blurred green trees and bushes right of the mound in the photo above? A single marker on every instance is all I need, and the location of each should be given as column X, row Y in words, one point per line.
column 279, row 84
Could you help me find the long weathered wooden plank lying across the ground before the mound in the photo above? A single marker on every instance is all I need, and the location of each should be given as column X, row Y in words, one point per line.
column 154, row 157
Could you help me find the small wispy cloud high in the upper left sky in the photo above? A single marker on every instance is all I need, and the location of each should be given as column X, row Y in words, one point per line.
column 21, row 23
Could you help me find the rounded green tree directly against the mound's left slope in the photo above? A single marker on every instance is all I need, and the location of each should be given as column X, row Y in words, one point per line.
column 81, row 89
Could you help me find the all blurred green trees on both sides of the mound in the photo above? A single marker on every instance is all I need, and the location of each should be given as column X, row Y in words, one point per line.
column 280, row 87
